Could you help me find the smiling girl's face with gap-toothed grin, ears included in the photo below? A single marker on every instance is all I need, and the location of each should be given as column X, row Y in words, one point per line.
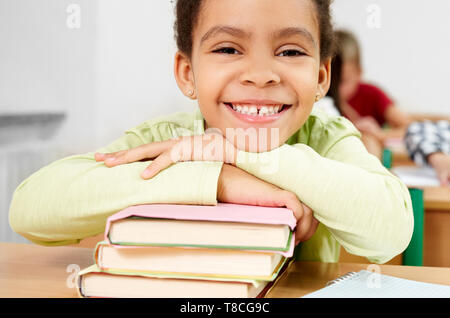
column 255, row 64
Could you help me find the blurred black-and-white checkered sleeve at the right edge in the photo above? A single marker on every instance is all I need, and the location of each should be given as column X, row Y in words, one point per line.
column 425, row 138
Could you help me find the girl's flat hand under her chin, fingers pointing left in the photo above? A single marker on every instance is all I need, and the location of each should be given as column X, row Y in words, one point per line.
column 211, row 146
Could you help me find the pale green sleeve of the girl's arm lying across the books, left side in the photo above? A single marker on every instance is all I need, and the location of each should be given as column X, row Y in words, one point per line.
column 71, row 198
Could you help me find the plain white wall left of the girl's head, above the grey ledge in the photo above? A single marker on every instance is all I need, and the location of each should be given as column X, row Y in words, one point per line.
column 109, row 75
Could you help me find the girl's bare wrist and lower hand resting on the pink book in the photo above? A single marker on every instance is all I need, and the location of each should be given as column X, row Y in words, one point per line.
column 239, row 187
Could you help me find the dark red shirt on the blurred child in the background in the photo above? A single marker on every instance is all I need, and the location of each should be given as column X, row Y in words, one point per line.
column 371, row 101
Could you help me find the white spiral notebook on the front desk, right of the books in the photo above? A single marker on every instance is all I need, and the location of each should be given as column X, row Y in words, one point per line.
column 366, row 284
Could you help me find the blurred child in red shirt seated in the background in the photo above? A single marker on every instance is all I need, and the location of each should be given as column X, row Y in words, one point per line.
column 366, row 105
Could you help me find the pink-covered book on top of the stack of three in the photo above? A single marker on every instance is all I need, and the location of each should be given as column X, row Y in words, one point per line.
column 224, row 226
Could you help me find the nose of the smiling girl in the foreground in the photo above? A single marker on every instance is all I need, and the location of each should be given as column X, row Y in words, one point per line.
column 259, row 73
